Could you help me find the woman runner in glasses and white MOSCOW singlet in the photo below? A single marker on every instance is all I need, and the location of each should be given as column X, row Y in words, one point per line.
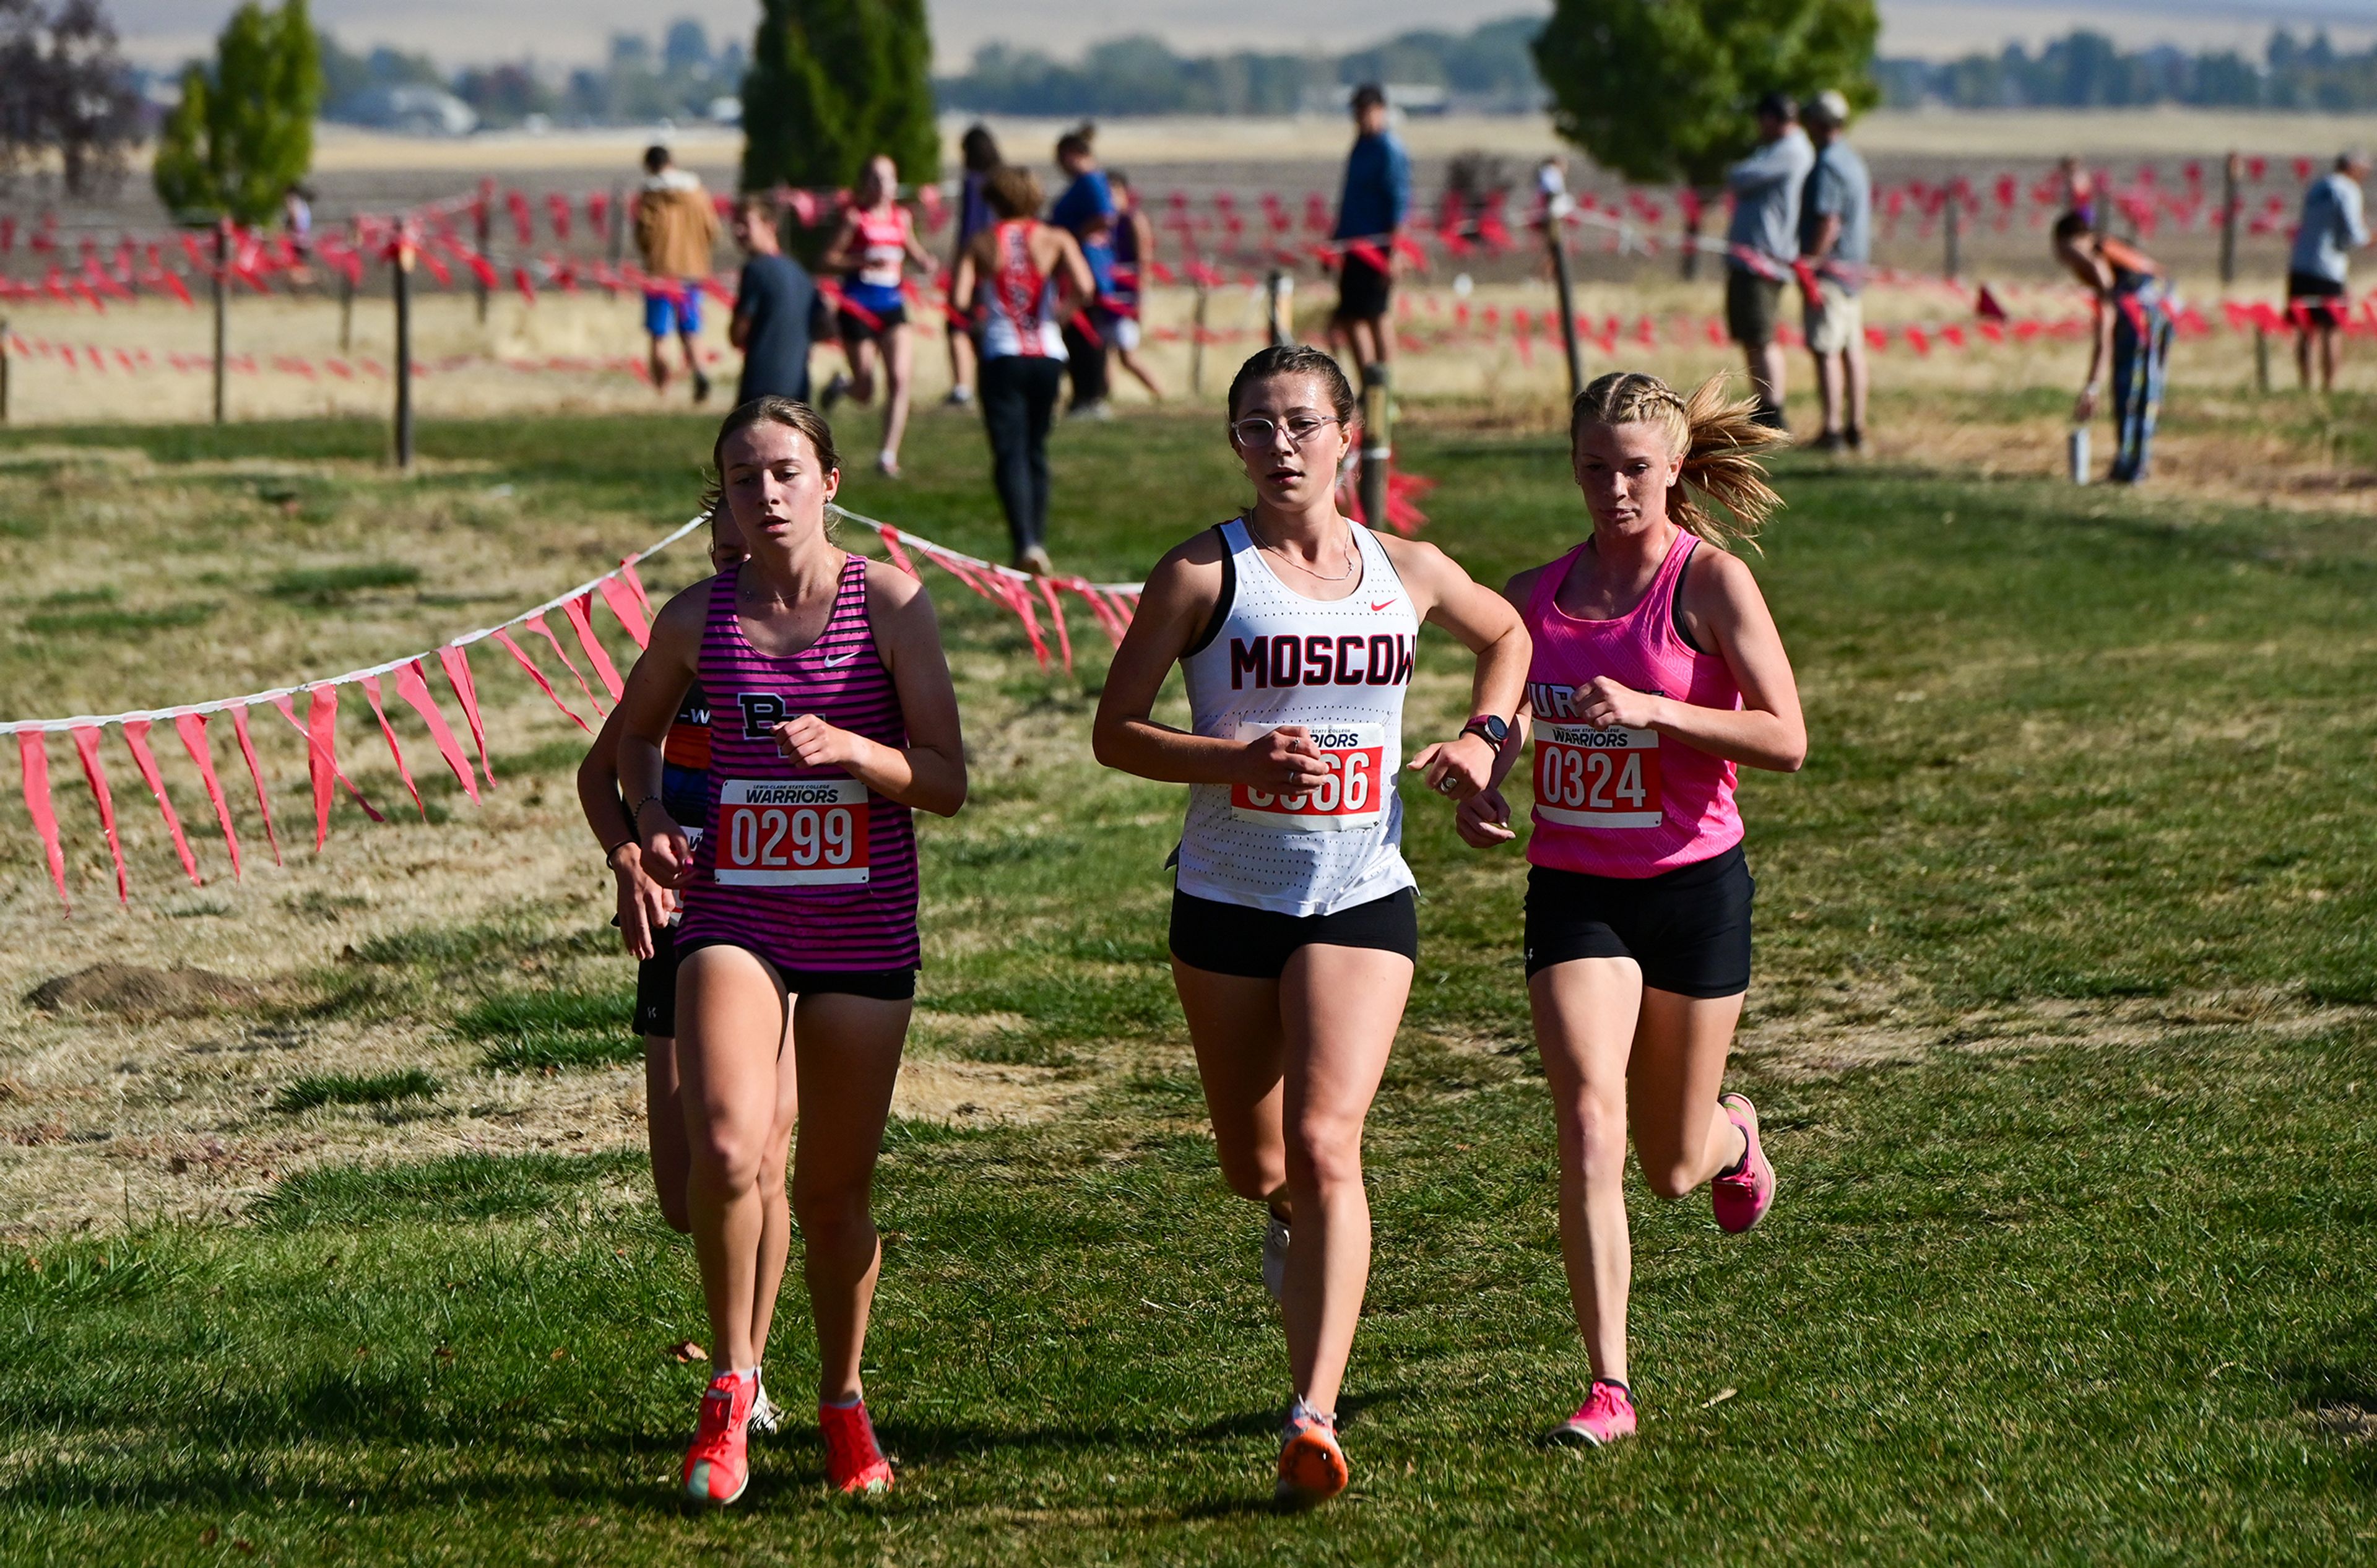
column 1294, row 923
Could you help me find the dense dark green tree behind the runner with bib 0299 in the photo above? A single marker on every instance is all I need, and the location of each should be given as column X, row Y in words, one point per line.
column 833, row 84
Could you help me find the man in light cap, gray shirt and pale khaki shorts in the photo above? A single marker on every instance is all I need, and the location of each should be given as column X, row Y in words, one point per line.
column 1836, row 244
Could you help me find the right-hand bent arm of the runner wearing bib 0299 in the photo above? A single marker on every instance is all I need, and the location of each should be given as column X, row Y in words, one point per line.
column 928, row 773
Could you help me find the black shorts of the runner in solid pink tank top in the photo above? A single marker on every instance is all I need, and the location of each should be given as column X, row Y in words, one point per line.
column 1689, row 928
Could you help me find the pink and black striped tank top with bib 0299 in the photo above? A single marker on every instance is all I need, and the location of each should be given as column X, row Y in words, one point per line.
column 805, row 866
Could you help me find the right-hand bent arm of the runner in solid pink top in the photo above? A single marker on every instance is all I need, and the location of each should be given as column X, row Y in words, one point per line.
column 1722, row 607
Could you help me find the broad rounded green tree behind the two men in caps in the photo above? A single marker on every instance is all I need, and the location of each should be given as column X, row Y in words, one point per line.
column 1663, row 89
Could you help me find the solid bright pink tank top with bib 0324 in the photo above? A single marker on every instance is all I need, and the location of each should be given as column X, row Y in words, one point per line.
column 1625, row 802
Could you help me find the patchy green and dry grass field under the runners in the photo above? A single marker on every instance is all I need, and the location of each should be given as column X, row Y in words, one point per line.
column 2064, row 1035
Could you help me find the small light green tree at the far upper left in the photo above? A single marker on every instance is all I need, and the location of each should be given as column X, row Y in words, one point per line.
column 244, row 132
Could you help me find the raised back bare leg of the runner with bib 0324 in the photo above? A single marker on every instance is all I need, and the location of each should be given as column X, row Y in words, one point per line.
column 1682, row 1134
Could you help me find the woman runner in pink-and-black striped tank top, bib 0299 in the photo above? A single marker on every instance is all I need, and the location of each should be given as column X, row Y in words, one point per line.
column 831, row 721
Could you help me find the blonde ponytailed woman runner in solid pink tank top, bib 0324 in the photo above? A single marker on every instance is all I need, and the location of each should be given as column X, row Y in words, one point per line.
column 1656, row 674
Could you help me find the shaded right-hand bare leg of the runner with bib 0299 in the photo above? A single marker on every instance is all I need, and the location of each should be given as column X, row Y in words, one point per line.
column 850, row 1058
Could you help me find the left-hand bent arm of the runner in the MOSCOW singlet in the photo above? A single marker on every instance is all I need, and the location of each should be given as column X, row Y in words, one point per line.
column 1173, row 612
